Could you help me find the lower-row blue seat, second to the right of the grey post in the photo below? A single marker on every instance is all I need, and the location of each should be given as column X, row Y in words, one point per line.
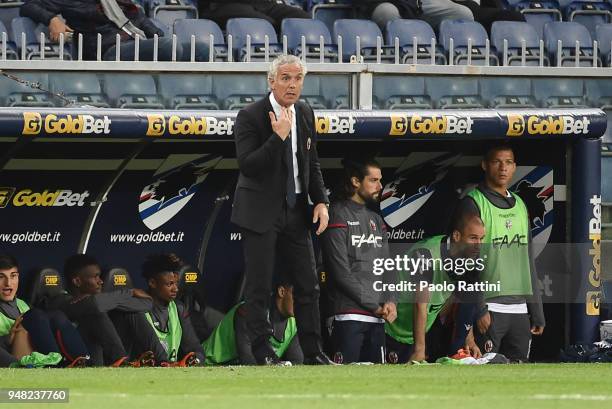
column 454, row 93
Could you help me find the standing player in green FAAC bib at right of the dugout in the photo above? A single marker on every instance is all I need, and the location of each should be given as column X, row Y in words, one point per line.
column 515, row 310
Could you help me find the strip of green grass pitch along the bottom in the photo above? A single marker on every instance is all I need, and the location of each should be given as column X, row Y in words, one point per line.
column 524, row 386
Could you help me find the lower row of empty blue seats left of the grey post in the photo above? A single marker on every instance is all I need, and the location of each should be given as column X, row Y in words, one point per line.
column 171, row 91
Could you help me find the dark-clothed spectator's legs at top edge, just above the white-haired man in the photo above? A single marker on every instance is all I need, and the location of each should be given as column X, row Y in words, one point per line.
column 271, row 10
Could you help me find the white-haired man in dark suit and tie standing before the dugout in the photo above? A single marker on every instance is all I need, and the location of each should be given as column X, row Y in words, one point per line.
column 276, row 148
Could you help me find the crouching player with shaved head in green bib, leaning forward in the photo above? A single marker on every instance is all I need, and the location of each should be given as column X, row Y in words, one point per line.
column 406, row 336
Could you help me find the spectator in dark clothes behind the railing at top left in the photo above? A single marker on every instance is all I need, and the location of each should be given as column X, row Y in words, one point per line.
column 107, row 17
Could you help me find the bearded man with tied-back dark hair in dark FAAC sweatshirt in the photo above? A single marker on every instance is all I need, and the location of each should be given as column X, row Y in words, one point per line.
column 354, row 239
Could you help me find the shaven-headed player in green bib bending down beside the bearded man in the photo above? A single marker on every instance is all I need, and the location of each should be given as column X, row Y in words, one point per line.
column 418, row 310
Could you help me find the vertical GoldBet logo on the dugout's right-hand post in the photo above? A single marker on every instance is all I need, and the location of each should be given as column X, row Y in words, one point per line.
column 593, row 297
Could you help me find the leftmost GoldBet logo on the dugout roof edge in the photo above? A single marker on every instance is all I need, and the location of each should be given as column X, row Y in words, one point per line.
column 34, row 124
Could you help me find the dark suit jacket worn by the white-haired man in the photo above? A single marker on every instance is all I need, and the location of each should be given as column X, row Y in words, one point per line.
column 262, row 184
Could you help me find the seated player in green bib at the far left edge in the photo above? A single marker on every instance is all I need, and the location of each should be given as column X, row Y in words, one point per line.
column 32, row 336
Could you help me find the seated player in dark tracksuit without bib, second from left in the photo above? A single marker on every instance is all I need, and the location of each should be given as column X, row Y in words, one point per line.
column 89, row 308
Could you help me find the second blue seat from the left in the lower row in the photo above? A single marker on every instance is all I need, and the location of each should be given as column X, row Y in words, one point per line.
column 82, row 88
